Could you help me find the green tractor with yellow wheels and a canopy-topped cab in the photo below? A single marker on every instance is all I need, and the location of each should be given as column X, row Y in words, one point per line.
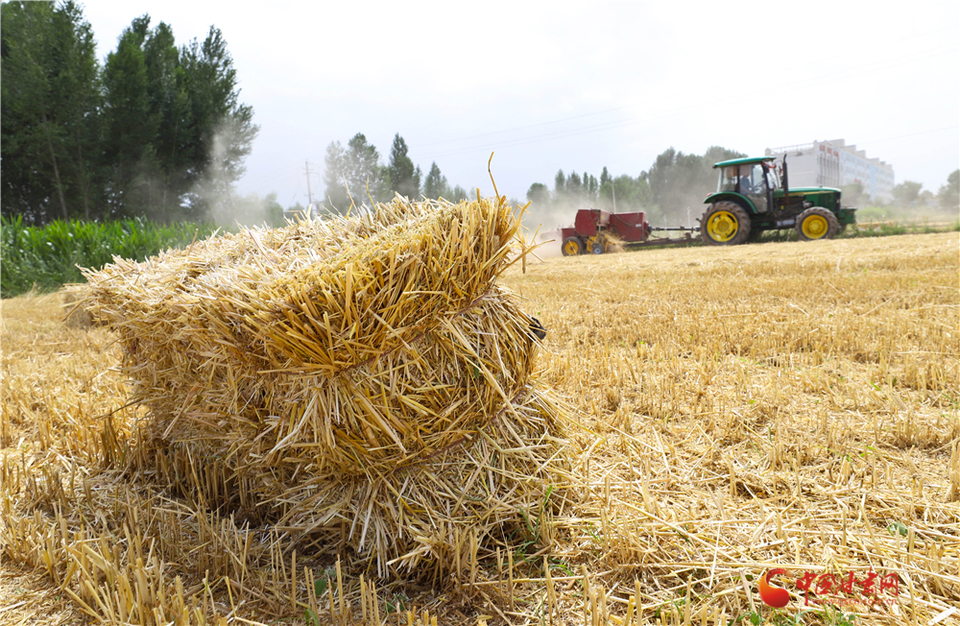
column 750, row 199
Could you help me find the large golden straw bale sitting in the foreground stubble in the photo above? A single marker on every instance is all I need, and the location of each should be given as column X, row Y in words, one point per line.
column 360, row 381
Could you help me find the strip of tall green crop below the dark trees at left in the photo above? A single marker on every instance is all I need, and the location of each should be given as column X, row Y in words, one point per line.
column 45, row 258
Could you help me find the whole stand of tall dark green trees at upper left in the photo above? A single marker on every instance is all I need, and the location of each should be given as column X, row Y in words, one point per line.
column 156, row 131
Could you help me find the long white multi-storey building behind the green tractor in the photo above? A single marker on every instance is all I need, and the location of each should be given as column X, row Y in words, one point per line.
column 834, row 164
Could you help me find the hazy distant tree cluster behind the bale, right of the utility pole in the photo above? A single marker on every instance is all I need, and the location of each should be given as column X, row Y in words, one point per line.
column 356, row 172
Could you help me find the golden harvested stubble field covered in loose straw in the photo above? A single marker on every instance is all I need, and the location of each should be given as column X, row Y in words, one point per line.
column 781, row 405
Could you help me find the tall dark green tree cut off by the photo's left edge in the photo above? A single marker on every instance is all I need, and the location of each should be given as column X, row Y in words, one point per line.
column 50, row 98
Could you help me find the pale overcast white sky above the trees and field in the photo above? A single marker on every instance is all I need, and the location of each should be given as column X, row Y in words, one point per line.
column 576, row 86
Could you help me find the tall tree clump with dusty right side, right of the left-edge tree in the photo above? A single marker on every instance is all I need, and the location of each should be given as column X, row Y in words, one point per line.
column 176, row 133
